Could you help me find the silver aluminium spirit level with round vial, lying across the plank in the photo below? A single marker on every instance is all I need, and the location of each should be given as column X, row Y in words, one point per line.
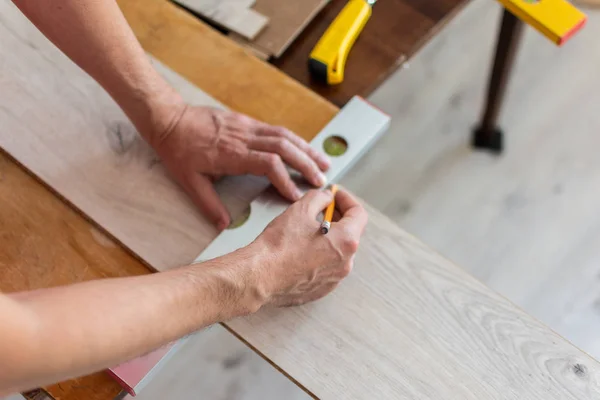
column 360, row 124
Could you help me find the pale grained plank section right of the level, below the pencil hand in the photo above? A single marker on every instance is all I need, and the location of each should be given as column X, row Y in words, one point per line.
column 406, row 324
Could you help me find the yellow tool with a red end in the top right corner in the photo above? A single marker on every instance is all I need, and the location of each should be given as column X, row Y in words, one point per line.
column 558, row 20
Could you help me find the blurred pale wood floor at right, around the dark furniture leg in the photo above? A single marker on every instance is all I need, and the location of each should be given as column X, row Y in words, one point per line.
column 526, row 223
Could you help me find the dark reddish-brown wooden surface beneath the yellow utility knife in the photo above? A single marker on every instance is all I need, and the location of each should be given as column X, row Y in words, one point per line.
column 397, row 29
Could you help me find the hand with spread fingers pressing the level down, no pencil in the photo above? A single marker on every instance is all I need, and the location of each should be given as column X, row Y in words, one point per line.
column 204, row 143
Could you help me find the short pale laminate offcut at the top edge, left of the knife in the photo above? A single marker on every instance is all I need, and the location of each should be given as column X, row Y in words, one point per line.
column 232, row 15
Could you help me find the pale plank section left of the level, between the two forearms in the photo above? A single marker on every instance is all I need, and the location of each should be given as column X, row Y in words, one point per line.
column 86, row 163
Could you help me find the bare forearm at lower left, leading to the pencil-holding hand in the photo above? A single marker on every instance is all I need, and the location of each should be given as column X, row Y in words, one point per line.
column 69, row 331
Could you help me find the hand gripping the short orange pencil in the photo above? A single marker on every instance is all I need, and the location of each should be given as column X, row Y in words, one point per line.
column 302, row 264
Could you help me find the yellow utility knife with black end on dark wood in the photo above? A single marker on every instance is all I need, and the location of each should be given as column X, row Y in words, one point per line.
column 328, row 58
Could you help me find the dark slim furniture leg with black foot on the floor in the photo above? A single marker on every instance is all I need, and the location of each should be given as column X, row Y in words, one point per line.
column 488, row 135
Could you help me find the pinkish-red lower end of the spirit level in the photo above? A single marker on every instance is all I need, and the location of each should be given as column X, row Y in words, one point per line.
column 130, row 374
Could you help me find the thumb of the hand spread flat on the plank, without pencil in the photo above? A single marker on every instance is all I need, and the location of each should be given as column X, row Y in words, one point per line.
column 203, row 194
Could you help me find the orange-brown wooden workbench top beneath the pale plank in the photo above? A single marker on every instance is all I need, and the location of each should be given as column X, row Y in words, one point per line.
column 46, row 243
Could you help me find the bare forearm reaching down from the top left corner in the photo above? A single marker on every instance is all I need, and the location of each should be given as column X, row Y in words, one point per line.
column 96, row 36
